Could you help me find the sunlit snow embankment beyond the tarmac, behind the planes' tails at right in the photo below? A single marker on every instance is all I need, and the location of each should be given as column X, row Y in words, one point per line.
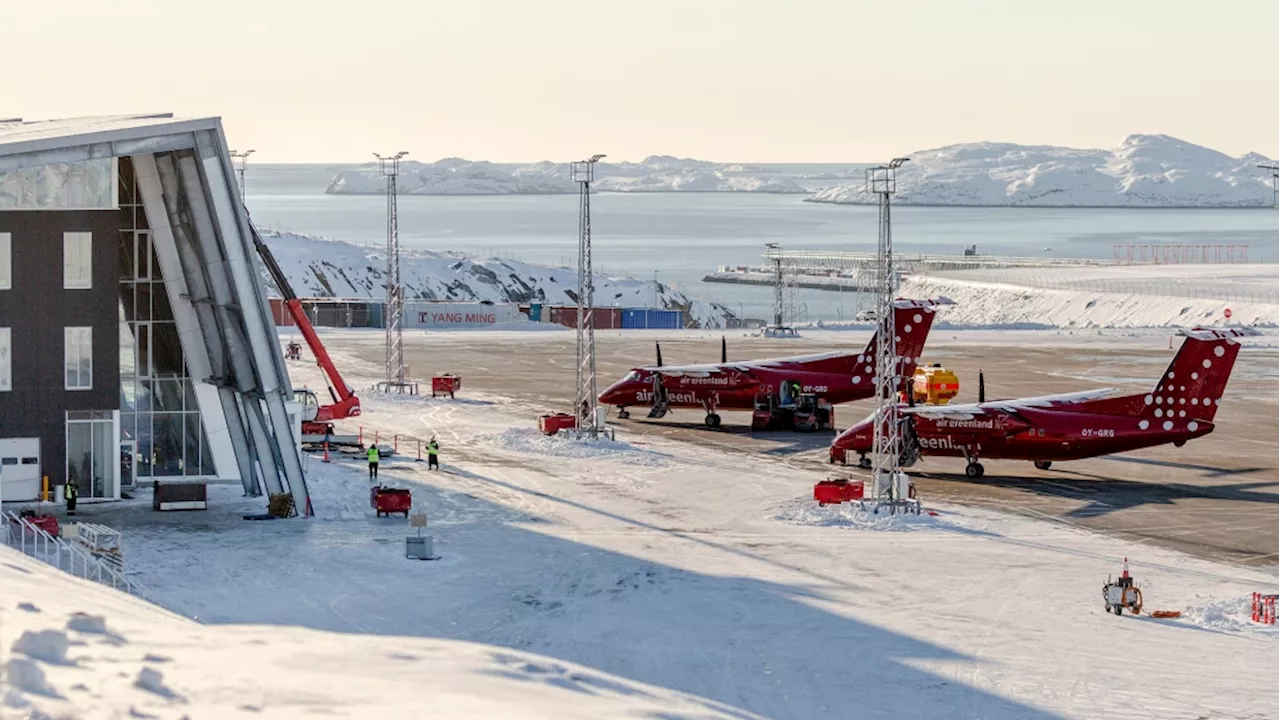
column 1158, row 304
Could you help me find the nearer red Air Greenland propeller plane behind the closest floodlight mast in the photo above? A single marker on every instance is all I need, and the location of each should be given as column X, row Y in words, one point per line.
column 1072, row 426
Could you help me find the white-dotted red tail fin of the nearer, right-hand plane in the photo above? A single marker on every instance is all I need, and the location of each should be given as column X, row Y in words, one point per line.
column 1195, row 381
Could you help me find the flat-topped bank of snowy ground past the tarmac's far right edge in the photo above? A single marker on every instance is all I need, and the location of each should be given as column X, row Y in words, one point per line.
column 1122, row 297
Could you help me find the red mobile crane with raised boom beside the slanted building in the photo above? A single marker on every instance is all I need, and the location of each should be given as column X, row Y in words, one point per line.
column 317, row 420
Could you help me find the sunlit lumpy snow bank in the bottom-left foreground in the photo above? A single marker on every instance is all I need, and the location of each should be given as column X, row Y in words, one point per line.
column 154, row 664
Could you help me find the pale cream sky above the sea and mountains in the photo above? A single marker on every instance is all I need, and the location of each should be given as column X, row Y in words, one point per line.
column 719, row 80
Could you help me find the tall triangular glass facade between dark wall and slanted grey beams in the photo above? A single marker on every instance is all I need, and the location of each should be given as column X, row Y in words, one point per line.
column 158, row 399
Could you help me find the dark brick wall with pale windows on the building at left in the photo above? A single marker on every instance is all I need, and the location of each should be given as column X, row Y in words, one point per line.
column 38, row 309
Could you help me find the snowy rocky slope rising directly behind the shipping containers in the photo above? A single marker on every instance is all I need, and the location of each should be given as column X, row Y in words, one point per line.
column 323, row 268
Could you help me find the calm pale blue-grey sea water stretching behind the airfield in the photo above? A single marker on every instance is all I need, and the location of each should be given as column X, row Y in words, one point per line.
column 679, row 238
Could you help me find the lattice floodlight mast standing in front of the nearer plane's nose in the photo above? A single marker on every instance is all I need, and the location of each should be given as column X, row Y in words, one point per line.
column 888, row 432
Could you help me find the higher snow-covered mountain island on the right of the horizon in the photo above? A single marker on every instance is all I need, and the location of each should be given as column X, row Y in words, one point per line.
column 1145, row 171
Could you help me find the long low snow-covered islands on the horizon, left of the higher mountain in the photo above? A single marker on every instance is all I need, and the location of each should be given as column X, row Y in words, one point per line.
column 657, row 174
